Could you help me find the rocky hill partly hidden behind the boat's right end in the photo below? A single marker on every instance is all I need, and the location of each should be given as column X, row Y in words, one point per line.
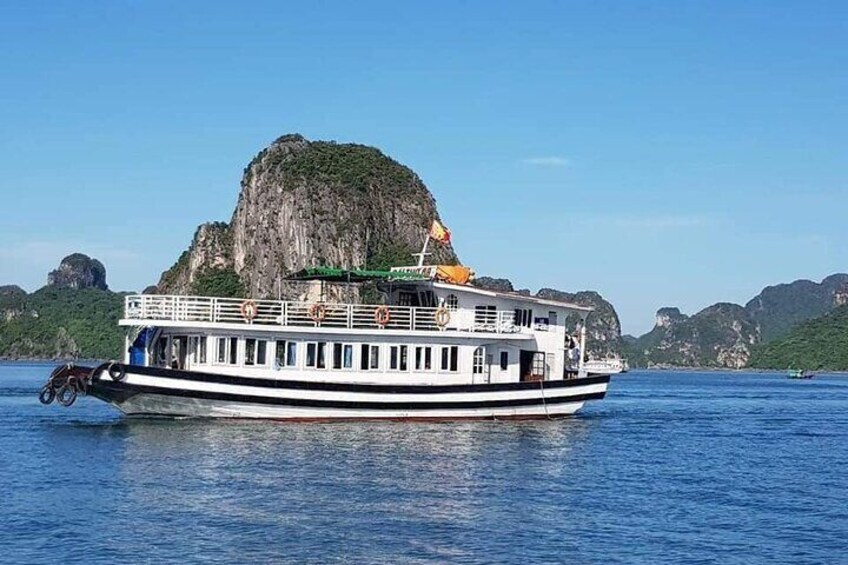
column 603, row 328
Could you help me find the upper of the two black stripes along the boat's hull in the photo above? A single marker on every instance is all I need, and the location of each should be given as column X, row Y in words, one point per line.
column 282, row 383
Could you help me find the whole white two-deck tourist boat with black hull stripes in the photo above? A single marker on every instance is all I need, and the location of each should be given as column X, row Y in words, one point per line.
column 434, row 349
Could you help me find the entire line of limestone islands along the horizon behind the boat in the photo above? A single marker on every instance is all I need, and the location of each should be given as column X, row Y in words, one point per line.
column 315, row 203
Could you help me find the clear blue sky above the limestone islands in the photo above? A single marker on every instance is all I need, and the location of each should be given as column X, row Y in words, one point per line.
column 661, row 153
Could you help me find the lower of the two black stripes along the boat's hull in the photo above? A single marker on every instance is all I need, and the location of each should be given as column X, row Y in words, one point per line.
column 119, row 392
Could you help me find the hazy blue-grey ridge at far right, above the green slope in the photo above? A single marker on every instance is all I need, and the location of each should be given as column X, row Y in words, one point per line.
column 777, row 309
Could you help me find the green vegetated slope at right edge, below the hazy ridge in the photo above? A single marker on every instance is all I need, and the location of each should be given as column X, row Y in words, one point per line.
column 819, row 344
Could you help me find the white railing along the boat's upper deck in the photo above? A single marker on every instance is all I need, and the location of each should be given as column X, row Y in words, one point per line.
column 149, row 308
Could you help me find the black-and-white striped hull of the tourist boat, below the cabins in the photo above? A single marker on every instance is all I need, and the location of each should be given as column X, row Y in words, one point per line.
column 146, row 391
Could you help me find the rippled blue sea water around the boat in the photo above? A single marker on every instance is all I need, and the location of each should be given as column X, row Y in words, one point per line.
column 670, row 467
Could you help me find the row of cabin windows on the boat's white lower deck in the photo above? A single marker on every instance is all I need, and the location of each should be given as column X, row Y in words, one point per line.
column 318, row 354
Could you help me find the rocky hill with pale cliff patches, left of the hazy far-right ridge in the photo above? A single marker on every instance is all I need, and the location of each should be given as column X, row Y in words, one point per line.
column 721, row 335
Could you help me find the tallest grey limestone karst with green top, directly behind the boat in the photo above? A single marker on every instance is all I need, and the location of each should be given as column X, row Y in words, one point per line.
column 307, row 204
